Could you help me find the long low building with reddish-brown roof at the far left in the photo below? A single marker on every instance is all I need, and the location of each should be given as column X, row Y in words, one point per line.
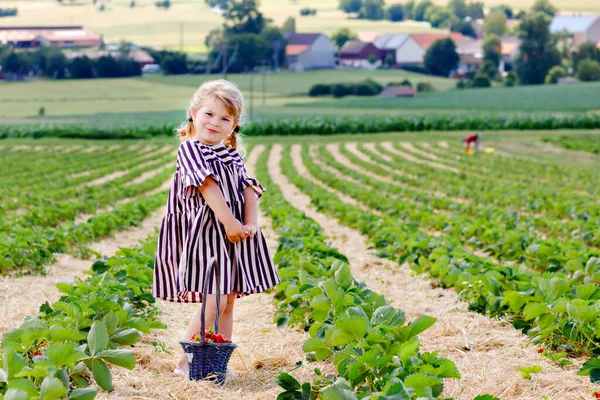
column 51, row 36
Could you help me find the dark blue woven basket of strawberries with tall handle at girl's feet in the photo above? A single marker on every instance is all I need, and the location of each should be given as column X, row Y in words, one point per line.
column 207, row 351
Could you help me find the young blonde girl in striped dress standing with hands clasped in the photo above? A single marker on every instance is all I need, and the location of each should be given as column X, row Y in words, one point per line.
column 212, row 212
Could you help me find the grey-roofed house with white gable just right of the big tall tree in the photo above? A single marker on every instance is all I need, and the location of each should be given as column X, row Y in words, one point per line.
column 306, row 51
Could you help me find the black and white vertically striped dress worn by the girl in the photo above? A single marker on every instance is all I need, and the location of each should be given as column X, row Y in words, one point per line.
column 190, row 233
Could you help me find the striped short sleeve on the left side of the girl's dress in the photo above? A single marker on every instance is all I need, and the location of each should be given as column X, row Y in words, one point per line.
column 193, row 166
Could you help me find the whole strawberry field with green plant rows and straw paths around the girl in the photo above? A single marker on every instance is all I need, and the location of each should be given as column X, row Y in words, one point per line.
column 409, row 270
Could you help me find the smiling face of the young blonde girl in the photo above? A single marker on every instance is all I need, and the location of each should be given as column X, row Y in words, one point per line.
column 213, row 123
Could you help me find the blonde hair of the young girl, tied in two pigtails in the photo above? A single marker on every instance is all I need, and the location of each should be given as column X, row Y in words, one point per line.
column 230, row 96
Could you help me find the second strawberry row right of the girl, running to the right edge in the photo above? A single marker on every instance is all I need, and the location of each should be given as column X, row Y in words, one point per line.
column 558, row 311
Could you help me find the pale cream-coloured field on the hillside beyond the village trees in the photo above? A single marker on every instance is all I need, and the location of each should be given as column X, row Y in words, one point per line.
column 147, row 25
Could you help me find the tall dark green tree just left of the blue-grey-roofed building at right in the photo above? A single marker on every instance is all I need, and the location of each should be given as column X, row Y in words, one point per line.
column 537, row 52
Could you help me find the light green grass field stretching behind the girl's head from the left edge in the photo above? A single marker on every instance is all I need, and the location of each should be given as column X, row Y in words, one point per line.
column 172, row 93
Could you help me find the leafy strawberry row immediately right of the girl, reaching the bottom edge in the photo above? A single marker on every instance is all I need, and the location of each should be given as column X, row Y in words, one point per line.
column 375, row 351
